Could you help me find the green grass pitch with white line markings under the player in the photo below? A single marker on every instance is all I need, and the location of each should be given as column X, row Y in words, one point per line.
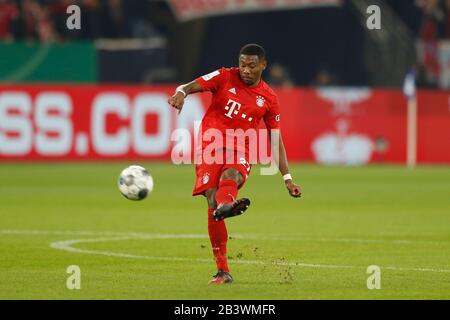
column 317, row 247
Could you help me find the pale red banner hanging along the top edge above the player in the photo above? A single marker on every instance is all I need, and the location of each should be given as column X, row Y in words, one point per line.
column 191, row 9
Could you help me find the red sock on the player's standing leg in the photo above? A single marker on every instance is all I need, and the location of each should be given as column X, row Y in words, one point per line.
column 219, row 237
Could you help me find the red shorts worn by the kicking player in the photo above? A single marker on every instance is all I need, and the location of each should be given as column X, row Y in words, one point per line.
column 208, row 175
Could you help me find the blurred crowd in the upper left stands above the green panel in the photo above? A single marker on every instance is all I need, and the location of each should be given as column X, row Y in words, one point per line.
column 45, row 20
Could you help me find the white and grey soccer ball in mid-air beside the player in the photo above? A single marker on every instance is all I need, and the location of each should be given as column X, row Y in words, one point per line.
column 135, row 183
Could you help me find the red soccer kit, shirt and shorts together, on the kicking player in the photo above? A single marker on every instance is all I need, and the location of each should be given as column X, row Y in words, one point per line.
column 234, row 106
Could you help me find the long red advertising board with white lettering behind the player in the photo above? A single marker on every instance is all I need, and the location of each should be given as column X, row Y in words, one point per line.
column 350, row 126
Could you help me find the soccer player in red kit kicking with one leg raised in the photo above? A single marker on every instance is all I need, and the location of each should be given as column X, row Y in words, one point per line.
column 240, row 99
